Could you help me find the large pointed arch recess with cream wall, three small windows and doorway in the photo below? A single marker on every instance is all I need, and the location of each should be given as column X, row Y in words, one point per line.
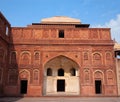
column 61, row 77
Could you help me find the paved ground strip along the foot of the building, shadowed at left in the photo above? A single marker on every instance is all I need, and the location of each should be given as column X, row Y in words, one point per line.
column 60, row 99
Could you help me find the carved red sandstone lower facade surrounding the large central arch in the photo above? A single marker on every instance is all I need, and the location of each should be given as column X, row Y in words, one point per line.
column 92, row 60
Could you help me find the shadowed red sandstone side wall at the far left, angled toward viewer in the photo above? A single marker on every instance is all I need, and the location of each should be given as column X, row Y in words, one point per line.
column 4, row 39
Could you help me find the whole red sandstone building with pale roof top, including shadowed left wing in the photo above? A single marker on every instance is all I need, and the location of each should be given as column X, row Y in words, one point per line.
column 59, row 56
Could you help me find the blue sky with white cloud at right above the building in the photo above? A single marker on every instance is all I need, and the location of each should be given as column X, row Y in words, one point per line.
column 97, row 13
